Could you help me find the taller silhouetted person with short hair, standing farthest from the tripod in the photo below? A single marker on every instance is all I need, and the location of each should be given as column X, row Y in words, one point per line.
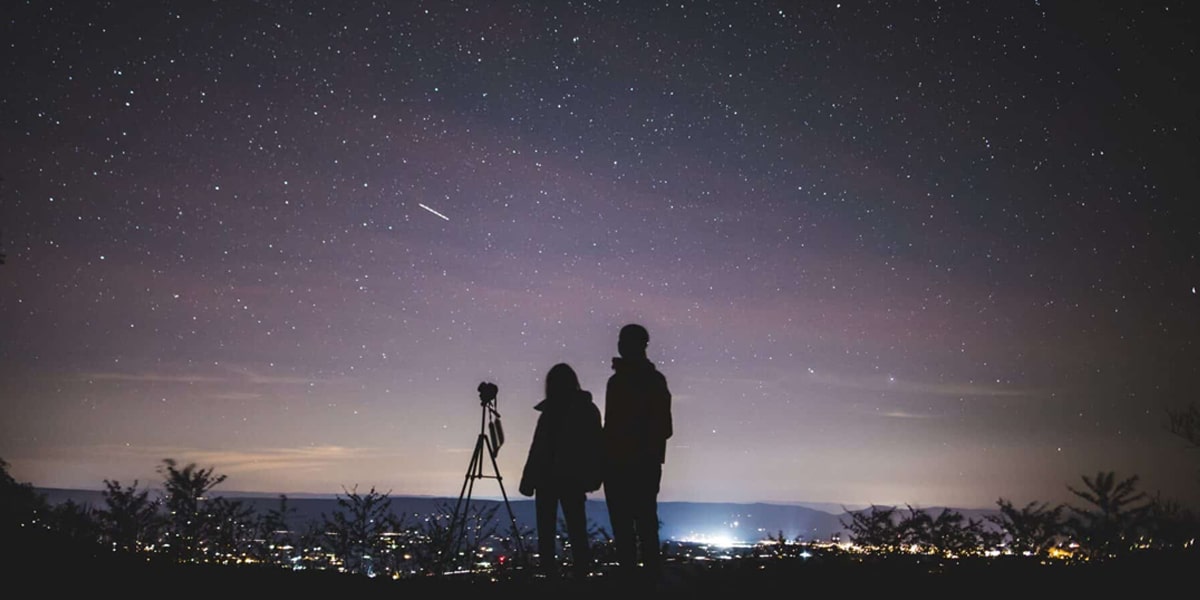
column 637, row 428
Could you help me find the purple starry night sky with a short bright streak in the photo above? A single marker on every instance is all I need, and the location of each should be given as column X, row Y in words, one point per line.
column 928, row 254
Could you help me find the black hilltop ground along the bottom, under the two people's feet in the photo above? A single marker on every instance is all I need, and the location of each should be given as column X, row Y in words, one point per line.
column 692, row 581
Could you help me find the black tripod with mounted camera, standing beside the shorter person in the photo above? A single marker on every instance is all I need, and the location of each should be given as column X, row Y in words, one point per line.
column 491, row 437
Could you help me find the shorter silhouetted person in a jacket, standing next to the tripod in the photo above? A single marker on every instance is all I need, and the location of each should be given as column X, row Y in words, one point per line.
column 566, row 463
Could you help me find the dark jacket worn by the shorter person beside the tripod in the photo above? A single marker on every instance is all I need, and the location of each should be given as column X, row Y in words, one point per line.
column 568, row 447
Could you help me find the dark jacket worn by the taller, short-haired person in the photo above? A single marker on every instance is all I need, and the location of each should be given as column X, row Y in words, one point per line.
column 638, row 415
